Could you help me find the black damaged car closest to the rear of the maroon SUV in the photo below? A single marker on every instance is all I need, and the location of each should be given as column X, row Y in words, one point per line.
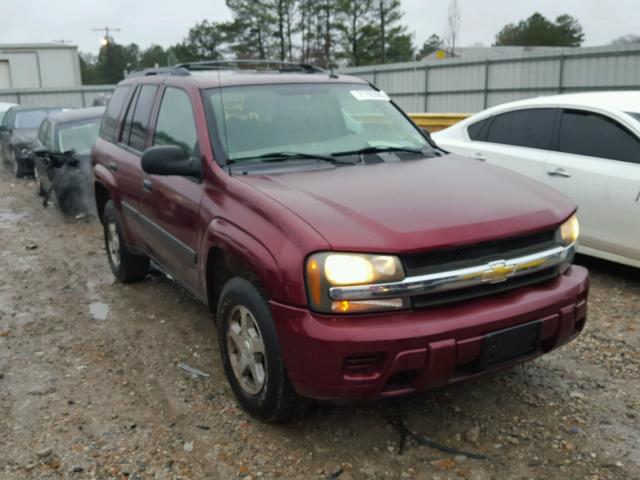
column 62, row 158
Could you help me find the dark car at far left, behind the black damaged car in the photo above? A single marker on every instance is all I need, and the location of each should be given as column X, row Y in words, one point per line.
column 18, row 132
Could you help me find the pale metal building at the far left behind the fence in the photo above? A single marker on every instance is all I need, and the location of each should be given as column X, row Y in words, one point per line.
column 41, row 65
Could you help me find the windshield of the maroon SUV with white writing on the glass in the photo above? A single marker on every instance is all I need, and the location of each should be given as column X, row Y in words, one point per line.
column 321, row 119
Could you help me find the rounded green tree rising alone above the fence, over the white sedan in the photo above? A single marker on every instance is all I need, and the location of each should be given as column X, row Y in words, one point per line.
column 539, row 31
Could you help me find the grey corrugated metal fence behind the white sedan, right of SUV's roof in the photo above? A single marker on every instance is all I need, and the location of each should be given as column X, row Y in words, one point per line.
column 465, row 85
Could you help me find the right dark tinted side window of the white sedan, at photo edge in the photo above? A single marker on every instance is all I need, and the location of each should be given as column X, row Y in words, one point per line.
column 586, row 133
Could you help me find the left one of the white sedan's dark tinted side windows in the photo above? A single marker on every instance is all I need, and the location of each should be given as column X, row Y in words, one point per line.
column 524, row 128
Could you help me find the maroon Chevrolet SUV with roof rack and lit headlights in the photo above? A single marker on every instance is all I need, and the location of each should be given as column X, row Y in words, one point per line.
column 346, row 257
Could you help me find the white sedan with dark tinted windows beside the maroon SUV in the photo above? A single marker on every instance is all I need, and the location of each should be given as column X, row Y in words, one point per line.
column 586, row 145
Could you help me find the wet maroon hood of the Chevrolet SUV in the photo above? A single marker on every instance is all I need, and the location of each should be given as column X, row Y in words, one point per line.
column 416, row 205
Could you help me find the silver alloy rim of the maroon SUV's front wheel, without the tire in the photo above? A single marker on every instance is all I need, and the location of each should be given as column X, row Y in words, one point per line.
column 246, row 350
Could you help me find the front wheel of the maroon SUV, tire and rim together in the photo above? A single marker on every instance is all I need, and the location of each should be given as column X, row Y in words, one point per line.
column 243, row 314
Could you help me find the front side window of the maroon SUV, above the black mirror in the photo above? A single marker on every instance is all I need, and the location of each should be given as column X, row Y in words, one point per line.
column 176, row 125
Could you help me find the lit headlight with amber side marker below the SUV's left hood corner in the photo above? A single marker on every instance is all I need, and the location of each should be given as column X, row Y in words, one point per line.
column 328, row 269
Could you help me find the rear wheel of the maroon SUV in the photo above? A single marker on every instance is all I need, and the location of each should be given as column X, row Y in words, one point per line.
column 126, row 266
